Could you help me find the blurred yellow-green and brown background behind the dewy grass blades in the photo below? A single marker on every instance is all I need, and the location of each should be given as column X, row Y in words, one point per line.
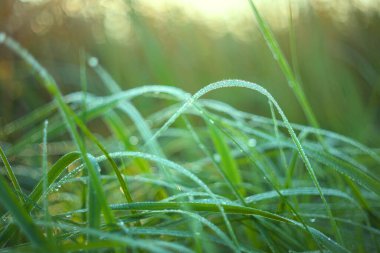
column 189, row 44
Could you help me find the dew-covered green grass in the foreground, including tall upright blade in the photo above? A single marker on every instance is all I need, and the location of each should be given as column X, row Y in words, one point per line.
column 155, row 168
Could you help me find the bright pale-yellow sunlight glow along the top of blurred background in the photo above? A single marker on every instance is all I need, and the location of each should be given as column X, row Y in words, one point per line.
column 227, row 16
